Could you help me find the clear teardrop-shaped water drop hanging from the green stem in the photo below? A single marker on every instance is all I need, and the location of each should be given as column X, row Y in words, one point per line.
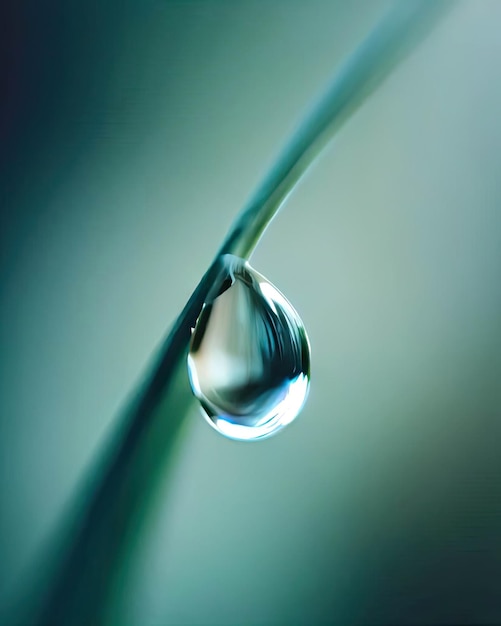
column 249, row 358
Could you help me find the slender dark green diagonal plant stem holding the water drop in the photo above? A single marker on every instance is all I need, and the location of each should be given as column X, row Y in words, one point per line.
column 82, row 586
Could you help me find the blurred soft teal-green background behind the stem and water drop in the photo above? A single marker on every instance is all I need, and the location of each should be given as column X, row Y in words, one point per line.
column 135, row 134
